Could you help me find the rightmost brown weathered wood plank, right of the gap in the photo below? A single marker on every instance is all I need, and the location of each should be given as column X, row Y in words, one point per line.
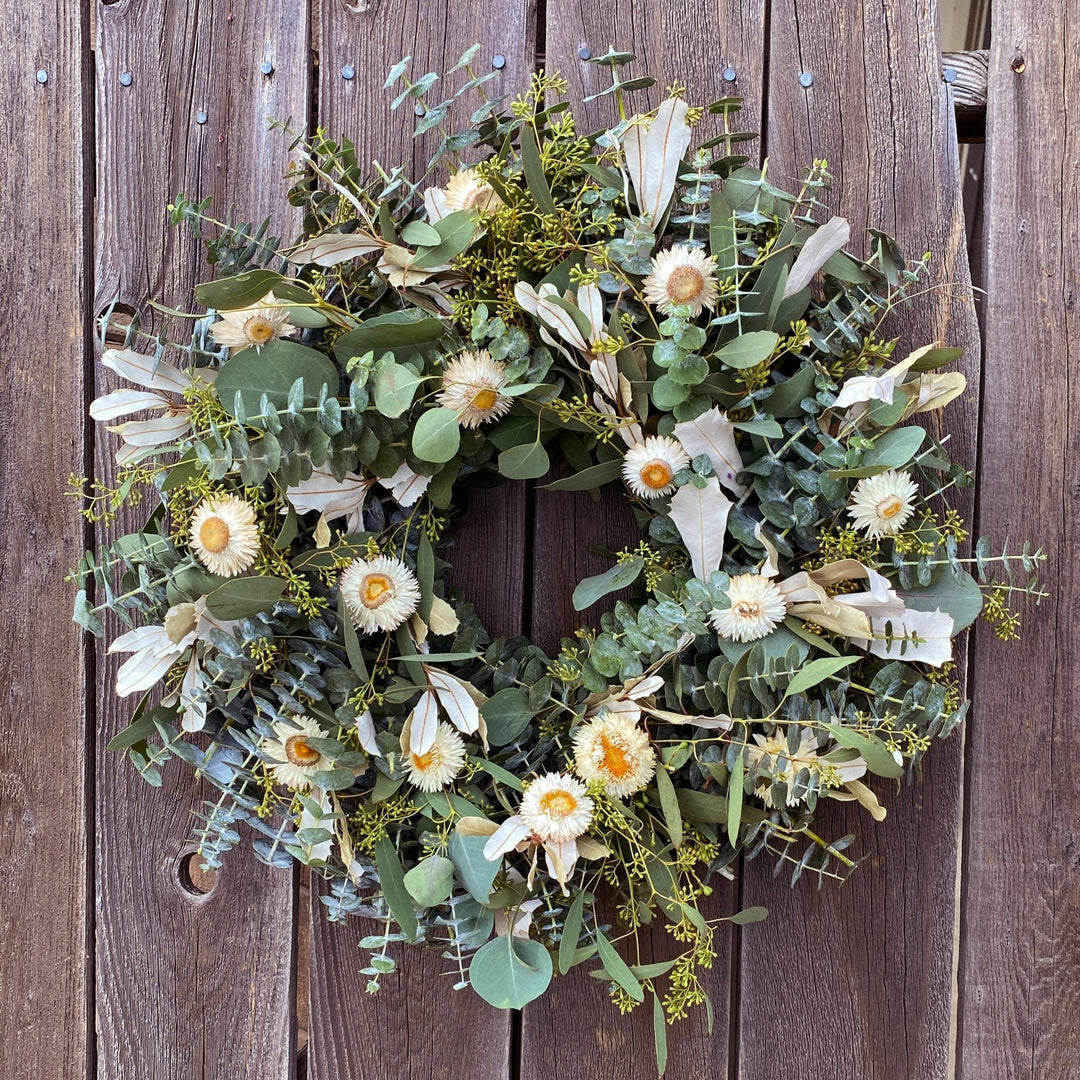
column 1021, row 939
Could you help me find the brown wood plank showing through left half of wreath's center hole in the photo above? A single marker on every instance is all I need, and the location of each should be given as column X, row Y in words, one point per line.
column 427, row 1031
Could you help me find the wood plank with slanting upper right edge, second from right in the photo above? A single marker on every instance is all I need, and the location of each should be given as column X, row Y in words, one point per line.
column 876, row 956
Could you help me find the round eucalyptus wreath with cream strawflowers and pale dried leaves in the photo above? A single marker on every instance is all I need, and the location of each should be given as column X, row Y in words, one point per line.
column 670, row 321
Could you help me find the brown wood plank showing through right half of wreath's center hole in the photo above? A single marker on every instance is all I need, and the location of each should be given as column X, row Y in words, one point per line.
column 576, row 1030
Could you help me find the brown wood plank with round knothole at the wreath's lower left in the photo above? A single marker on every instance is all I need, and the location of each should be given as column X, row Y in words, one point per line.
column 181, row 993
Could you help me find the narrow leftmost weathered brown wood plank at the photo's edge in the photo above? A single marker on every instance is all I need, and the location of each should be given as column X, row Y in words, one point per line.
column 46, row 193
